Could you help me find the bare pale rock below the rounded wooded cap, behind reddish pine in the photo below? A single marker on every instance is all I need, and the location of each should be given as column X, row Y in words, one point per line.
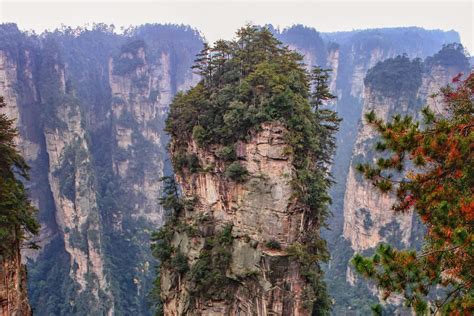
column 367, row 219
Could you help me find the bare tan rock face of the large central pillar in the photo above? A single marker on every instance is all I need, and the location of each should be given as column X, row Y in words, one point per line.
column 263, row 279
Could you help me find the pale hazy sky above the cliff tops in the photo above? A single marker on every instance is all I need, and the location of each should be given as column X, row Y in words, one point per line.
column 219, row 19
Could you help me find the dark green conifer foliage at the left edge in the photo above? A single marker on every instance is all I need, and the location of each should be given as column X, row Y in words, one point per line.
column 17, row 215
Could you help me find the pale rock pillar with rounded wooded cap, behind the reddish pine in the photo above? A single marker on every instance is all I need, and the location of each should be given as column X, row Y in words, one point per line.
column 366, row 219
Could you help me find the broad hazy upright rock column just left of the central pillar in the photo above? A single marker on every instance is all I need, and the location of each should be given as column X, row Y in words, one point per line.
column 140, row 101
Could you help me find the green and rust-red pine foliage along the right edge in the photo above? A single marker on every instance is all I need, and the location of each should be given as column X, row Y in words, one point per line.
column 435, row 166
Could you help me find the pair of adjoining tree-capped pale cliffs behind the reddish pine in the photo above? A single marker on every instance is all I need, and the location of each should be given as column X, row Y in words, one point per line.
column 366, row 220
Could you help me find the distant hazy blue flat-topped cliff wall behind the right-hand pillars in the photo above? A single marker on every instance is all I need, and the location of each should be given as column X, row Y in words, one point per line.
column 350, row 55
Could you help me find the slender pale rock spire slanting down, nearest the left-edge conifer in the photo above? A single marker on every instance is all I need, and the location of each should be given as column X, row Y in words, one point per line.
column 75, row 197
